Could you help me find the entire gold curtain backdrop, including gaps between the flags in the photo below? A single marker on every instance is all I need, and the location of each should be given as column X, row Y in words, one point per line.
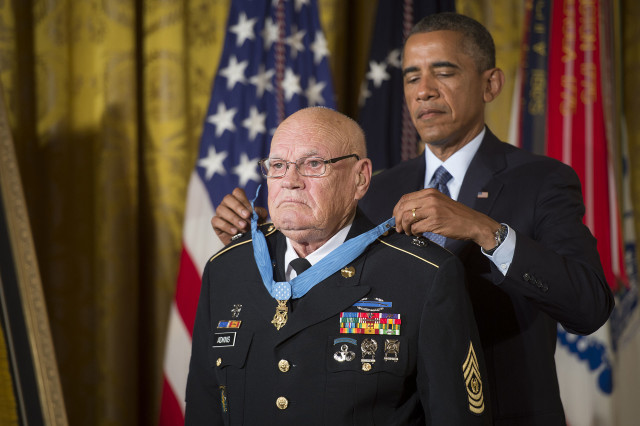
column 107, row 100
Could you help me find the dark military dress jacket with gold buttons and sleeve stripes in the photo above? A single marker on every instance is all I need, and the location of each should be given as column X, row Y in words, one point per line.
column 234, row 376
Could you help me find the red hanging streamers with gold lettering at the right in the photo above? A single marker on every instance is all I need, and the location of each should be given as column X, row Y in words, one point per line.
column 576, row 132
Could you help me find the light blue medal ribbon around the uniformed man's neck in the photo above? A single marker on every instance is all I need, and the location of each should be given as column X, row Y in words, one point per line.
column 301, row 284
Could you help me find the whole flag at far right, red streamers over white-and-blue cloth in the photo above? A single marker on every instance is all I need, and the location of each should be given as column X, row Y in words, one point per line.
column 567, row 106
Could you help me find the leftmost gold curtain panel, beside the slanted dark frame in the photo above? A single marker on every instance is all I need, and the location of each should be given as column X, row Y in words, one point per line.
column 83, row 192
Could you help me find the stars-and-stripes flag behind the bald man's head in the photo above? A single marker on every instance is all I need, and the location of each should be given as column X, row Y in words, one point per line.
column 274, row 62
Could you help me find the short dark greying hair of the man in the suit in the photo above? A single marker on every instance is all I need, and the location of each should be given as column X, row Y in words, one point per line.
column 478, row 42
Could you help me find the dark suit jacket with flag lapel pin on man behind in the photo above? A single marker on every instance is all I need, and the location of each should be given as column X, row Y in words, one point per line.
column 556, row 273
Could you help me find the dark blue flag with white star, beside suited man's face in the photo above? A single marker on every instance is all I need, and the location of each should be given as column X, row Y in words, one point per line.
column 391, row 136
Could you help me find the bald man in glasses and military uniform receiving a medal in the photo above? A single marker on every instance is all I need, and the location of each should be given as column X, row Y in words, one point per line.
column 377, row 330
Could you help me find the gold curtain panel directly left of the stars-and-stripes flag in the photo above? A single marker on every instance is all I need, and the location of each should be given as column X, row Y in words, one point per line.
column 181, row 41
